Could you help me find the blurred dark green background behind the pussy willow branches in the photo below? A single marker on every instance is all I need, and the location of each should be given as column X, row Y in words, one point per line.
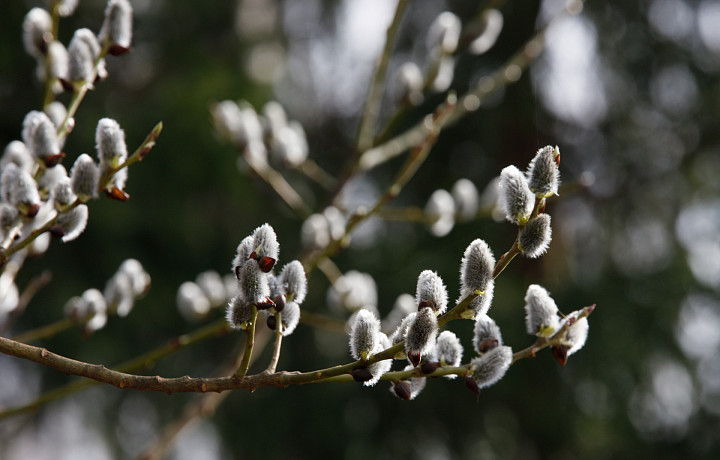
column 628, row 90
